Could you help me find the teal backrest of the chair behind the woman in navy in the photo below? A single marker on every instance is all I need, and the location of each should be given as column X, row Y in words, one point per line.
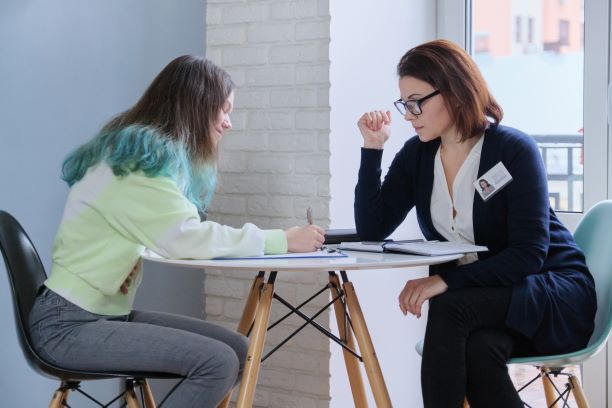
column 594, row 237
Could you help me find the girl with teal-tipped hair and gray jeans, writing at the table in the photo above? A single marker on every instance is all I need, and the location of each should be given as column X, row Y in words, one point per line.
column 143, row 182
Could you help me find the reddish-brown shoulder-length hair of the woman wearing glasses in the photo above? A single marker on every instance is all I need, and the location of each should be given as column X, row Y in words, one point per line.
column 448, row 68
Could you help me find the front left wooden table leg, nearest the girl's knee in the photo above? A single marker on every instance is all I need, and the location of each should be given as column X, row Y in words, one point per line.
column 256, row 345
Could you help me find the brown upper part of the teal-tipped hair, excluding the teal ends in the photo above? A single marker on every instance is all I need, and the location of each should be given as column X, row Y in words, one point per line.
column 181, row 103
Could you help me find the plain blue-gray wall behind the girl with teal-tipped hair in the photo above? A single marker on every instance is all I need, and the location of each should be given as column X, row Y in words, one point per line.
column 66, row 67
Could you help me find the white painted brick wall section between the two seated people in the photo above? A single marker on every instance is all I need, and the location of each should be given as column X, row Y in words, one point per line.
column 273, row 165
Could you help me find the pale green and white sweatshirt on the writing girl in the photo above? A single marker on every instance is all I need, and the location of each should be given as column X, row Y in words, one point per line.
column 108, row 222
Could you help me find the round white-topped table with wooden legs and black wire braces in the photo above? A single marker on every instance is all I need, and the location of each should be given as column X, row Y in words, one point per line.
column 256, row 313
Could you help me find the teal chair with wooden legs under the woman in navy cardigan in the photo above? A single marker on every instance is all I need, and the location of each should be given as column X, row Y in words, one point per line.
column 594, row 237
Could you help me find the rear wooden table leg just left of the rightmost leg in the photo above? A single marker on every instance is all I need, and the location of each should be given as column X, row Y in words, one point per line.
column 352, row 364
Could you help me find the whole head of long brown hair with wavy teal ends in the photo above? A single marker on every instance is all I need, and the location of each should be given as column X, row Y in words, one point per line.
column 166, row 133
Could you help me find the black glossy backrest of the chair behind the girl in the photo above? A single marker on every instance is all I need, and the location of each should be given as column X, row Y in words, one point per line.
column 26, row 274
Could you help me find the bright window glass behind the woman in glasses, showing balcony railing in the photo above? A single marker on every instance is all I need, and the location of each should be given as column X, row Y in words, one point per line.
column 553, row 73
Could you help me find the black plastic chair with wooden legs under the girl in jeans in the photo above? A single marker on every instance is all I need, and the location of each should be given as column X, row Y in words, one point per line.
column 26, row 275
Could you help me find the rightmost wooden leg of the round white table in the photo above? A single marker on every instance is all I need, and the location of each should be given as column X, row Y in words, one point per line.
column 377, row 382
